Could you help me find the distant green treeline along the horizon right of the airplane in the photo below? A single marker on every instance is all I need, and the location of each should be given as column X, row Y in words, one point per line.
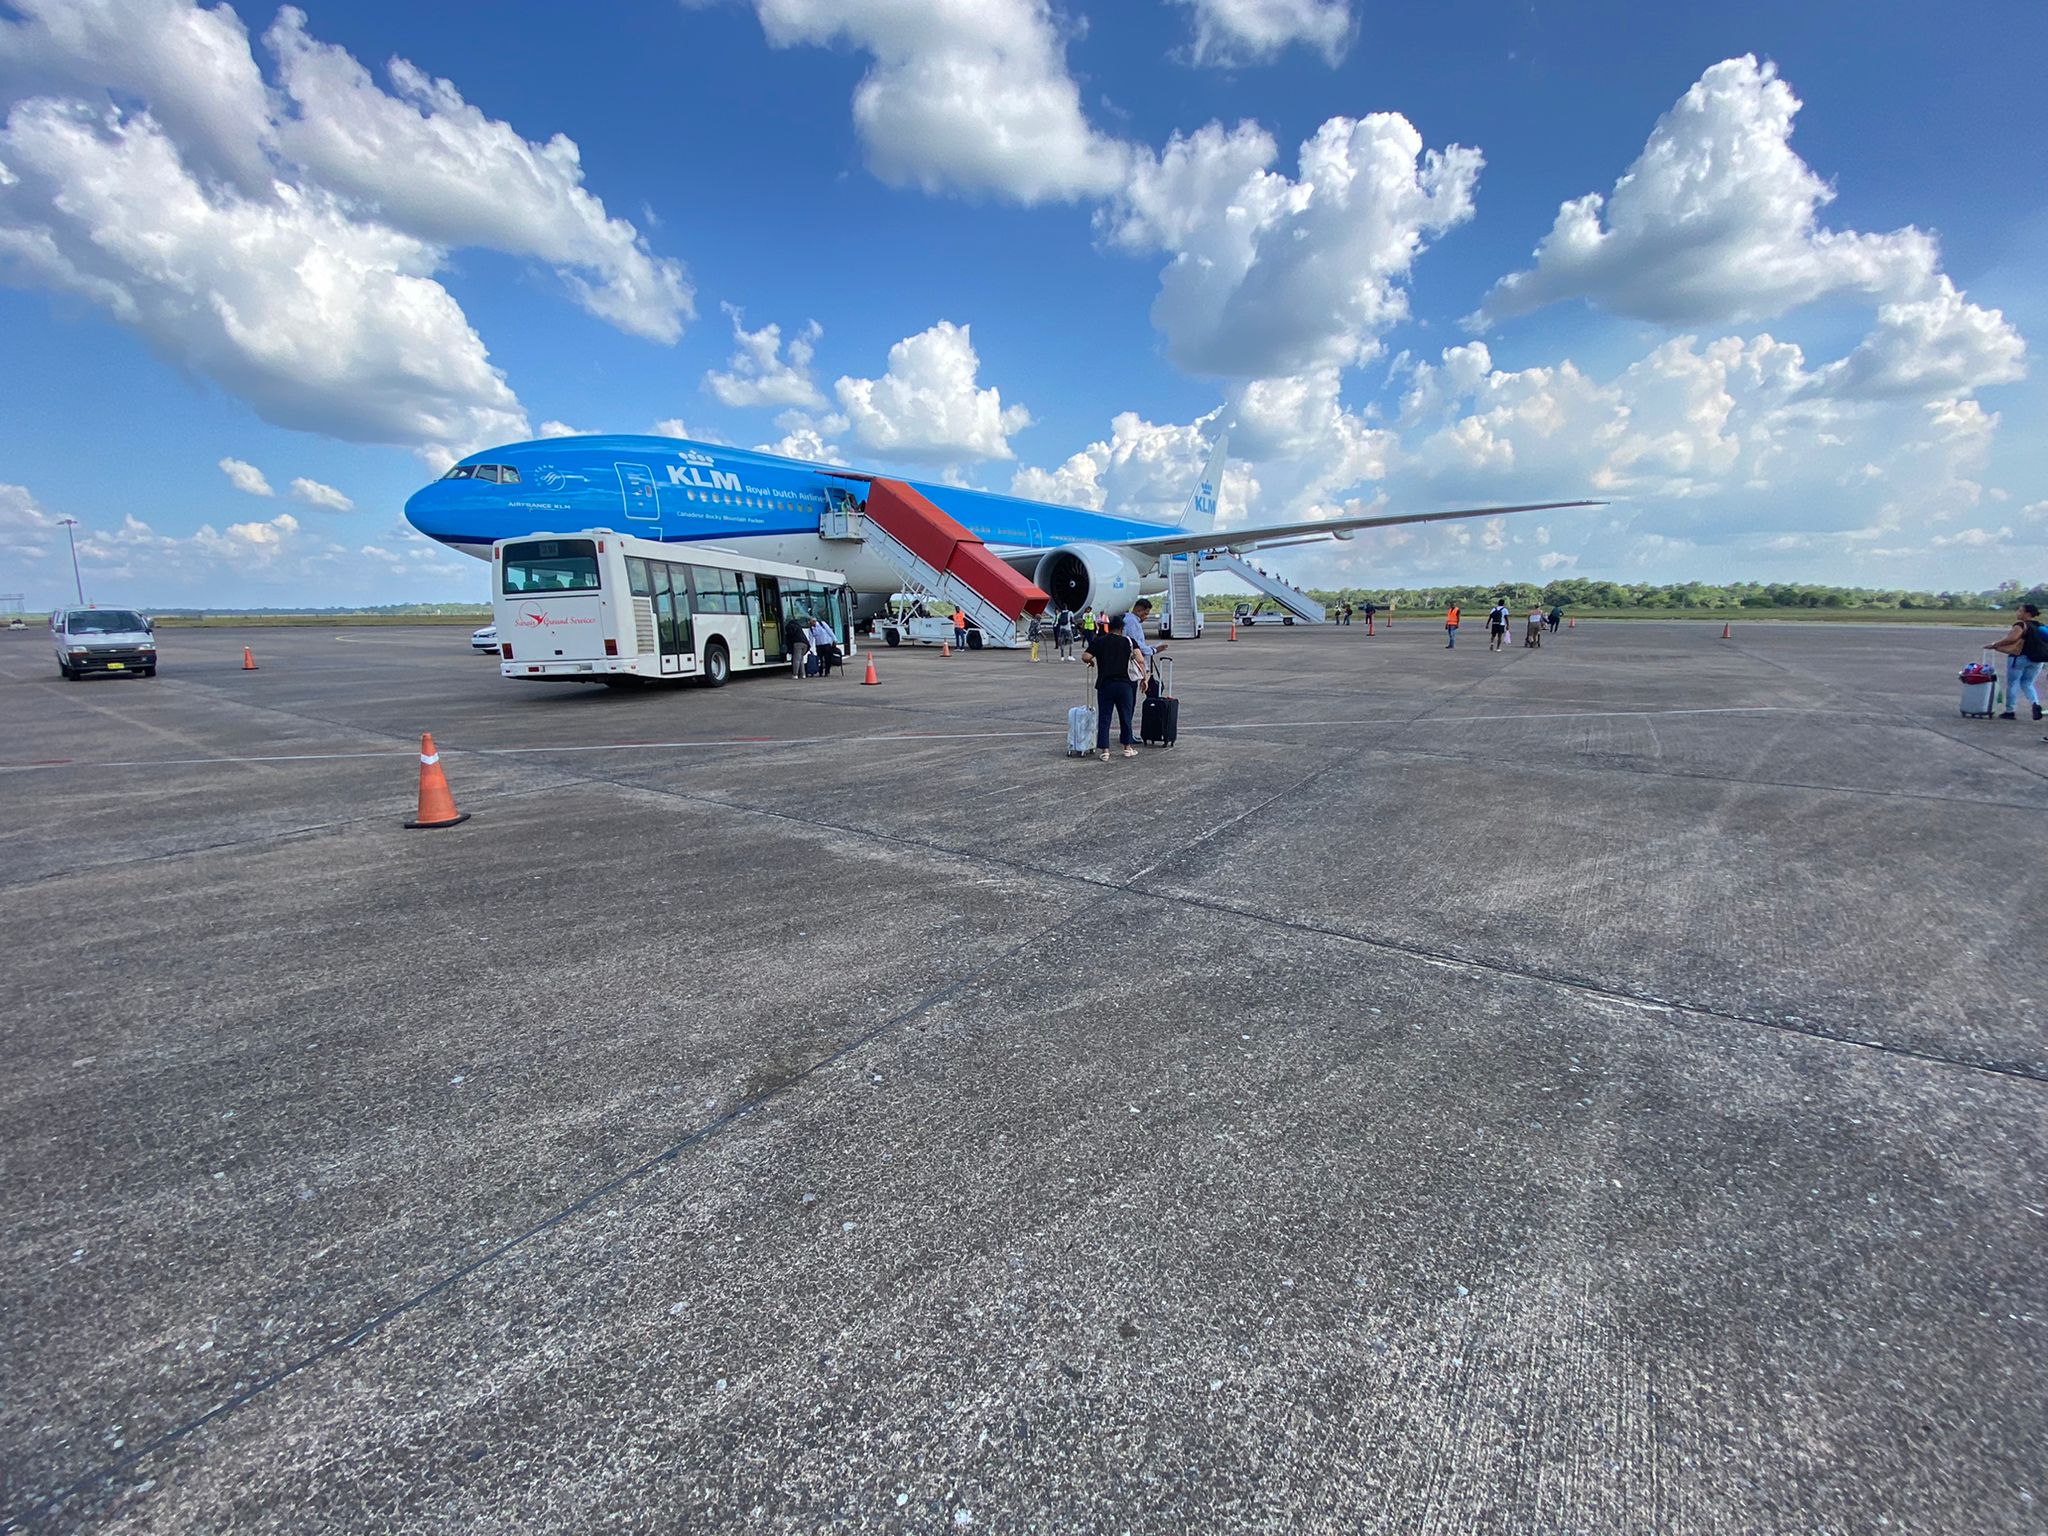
column 1621, row 597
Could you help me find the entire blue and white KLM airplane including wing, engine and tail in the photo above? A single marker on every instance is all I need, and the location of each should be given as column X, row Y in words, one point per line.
column 771, row 507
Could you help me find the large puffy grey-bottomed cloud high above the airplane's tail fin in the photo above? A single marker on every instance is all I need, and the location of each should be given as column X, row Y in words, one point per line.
column 1273, row 275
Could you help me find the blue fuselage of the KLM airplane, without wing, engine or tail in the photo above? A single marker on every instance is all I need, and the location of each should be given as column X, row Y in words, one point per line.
column 753, row 503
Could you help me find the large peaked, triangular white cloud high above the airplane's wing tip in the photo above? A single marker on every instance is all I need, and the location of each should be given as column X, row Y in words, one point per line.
column 1715, row 222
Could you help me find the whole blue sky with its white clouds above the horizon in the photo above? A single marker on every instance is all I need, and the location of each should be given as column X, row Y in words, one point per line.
column 1766, row 278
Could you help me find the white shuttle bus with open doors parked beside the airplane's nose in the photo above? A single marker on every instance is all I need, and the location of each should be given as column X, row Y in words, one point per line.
column 601, row 607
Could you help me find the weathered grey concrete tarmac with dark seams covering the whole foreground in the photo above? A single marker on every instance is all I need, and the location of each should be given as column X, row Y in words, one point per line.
column 1572, row 1091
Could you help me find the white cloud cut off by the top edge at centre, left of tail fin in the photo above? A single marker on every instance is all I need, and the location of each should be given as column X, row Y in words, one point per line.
column 964, row 95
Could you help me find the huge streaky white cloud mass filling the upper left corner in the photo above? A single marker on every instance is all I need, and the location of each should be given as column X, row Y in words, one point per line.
column 286, row 243
